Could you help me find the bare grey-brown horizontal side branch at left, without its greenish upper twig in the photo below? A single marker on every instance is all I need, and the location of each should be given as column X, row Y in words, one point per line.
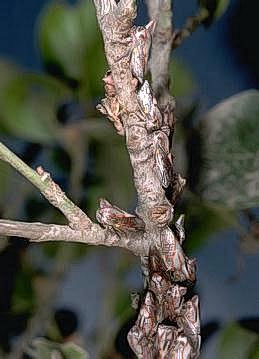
column 96, row 235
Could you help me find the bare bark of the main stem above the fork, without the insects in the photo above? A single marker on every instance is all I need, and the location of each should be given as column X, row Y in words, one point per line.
column 116, row 23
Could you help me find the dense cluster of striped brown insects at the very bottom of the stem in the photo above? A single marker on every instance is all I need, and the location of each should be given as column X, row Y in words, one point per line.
column 163, row 301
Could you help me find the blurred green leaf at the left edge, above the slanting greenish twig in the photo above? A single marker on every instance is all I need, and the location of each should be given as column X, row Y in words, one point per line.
column 28, row 105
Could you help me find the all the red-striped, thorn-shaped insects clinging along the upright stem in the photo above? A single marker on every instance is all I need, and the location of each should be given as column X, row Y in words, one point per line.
column 166, row 266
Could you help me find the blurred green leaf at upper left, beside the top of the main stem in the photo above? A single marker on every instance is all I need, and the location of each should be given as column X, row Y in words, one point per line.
column 70, row 44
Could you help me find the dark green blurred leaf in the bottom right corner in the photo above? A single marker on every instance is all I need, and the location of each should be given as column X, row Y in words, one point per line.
column 236, row 342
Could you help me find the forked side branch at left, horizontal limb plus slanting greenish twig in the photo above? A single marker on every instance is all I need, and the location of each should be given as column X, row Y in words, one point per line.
column 81, row 229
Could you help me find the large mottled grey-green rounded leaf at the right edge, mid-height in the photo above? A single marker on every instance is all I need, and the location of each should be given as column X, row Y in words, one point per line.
column 230, row 134
